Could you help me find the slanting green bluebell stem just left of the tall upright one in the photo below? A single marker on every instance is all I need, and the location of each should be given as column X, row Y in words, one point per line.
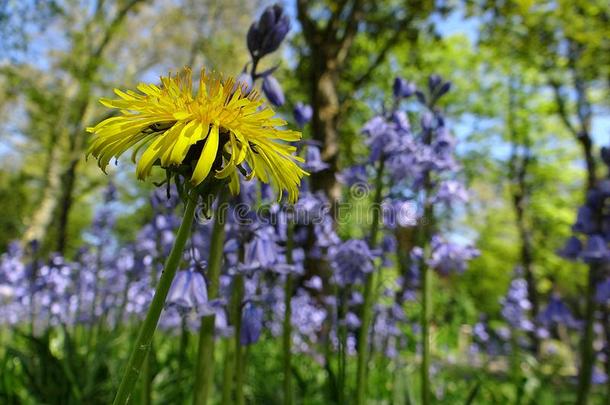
column 367, row 304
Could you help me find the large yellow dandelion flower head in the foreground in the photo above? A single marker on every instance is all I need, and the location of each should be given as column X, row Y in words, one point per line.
column 213, row 132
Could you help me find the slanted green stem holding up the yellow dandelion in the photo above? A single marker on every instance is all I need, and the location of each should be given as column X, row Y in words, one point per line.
column 144, row 339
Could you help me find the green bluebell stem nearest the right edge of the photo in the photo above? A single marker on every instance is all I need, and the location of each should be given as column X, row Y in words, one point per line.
column 587, row 354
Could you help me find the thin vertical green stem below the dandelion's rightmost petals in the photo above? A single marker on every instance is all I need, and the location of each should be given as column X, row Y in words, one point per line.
column 287, row 327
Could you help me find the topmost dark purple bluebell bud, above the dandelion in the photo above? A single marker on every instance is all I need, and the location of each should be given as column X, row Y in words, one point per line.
column 266, row 34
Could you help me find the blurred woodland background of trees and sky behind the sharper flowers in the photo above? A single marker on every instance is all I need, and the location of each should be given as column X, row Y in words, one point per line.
column 528, row 105
